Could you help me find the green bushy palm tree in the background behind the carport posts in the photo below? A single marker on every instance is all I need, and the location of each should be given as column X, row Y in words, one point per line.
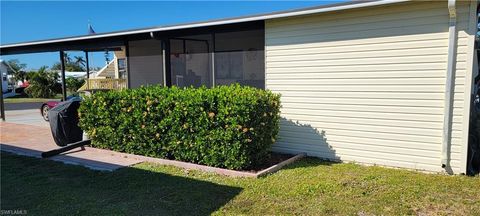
column 43, row 84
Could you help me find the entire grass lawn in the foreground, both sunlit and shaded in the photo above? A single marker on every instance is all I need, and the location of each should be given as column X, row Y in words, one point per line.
column 308, row 187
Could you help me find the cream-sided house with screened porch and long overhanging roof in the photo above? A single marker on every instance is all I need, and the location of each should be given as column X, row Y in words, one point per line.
column 377, row 82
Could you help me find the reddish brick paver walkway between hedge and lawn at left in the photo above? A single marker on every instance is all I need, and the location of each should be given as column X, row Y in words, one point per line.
column 32, row 140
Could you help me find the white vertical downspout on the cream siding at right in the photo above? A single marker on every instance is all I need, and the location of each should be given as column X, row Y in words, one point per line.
column 449, row 85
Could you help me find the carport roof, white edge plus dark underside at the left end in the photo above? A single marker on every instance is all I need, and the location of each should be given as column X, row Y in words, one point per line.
column 116, row 38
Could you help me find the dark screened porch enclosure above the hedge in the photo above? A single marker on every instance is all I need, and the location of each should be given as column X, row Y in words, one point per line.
column 199, row 57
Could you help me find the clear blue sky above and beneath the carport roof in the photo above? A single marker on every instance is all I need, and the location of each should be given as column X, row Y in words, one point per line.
column 22, row 21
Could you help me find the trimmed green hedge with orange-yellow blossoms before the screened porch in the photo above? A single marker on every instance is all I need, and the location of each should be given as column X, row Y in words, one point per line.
column 229, row 126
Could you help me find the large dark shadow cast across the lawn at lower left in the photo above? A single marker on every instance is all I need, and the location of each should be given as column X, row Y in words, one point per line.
column 45, row 187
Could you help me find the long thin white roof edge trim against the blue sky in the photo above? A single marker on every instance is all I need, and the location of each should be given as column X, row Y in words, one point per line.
column 242, row 19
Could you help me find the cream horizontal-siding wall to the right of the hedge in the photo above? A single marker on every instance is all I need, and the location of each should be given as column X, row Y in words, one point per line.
column 368, row 85
